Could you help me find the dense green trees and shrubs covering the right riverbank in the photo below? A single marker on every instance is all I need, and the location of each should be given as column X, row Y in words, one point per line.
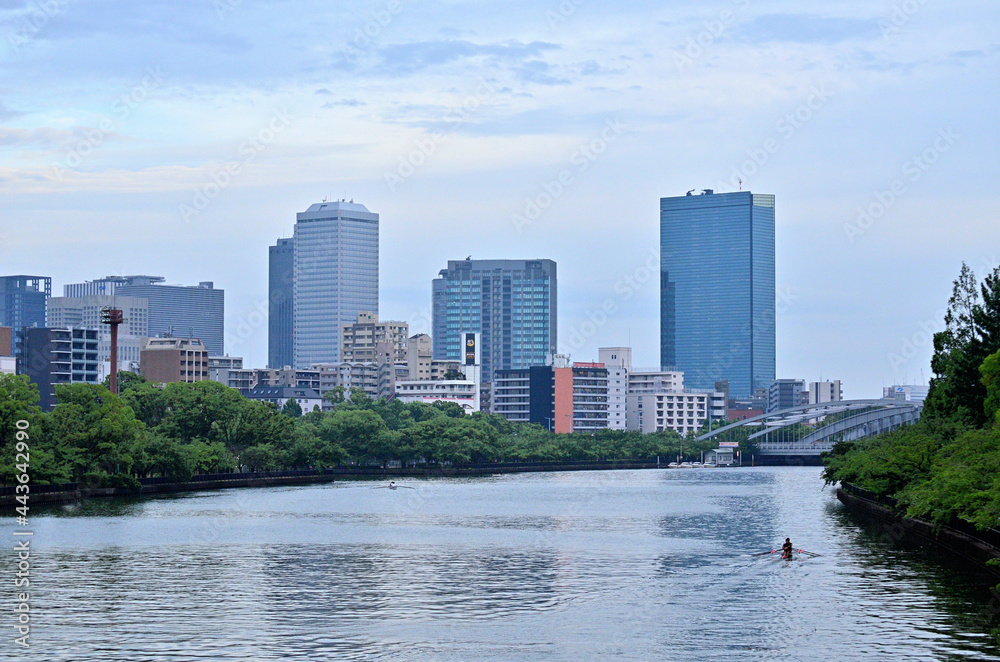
column 942, row 474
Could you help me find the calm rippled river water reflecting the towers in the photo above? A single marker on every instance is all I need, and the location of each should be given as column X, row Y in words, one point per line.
column 617, row 565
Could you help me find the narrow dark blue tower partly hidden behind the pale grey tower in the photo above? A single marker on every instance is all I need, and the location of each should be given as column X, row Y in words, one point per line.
column 280, row 310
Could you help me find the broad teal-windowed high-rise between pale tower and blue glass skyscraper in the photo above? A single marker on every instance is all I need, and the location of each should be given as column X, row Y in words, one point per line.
column 512, row 303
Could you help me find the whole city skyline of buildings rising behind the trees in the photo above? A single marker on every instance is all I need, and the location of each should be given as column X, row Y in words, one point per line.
column 493, row 322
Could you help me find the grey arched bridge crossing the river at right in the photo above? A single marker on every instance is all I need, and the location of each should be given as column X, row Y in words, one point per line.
column 806, row 431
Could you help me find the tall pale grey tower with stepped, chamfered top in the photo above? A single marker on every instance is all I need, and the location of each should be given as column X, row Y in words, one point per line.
column 336, row 276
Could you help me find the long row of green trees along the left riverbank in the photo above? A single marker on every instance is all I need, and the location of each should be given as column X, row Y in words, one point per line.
column 96, row 439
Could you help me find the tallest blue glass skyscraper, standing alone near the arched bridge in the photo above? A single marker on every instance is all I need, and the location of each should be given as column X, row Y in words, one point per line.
column 717, row 289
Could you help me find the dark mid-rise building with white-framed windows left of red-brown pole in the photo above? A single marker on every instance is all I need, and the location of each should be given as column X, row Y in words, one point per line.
column 58, row 356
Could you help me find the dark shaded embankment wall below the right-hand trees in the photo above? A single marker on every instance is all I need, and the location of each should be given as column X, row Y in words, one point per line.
column 959, row 538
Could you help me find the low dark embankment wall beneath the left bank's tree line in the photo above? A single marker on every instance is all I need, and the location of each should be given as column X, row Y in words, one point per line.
column 151, row 486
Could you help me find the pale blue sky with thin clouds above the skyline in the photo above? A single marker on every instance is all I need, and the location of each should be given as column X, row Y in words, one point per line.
column 180, row 139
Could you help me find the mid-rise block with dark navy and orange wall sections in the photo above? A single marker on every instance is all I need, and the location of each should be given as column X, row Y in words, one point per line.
column 560, row 396
